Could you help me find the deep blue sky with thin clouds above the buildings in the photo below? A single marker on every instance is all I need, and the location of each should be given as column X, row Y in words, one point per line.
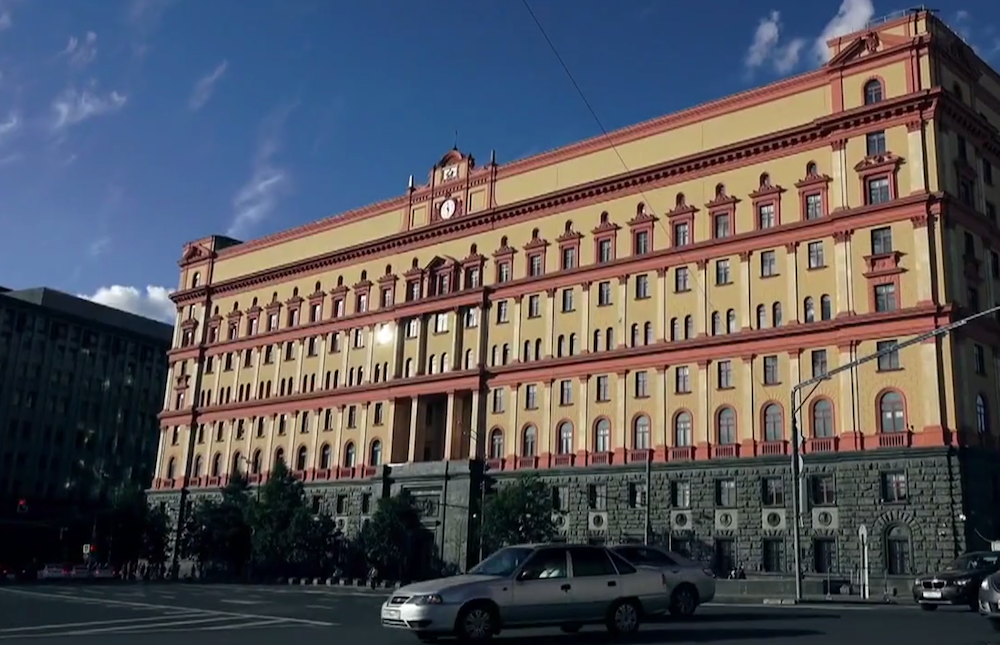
column 128, row 127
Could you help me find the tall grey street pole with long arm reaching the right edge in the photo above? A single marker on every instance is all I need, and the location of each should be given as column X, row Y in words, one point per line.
column 798, row 438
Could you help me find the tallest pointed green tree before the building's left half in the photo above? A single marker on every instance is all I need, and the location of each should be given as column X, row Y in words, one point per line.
column 288, row 537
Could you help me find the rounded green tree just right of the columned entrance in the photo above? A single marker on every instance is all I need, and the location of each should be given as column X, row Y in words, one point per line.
column 517, row 513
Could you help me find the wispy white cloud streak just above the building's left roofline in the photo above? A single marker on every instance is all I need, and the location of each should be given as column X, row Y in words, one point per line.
column 255, row 200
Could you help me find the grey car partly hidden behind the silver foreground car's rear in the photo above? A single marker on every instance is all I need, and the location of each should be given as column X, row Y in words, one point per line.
column 691, row 583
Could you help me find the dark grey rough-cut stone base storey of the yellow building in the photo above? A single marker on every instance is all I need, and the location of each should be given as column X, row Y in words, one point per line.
column 943, row 487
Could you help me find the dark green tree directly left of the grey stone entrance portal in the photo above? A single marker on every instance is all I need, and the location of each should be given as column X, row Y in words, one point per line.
column 389, row 539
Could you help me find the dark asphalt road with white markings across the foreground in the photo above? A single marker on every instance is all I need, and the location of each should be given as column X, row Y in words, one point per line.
column 208, row 615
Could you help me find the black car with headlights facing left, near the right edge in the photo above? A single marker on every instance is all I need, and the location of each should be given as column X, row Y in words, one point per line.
column 958, row 583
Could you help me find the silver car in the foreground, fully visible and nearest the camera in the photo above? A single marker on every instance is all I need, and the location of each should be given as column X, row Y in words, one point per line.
column 533, row 585
